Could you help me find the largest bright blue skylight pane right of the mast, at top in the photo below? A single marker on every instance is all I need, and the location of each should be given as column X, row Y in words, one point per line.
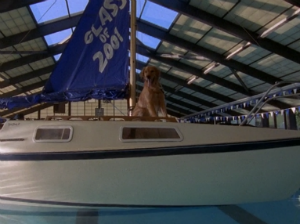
column 156, row 18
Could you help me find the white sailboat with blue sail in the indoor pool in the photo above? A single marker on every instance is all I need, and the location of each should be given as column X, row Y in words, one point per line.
column 146, row 162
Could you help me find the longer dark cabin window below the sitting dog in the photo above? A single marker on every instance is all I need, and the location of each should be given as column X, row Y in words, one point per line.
column 150, row 133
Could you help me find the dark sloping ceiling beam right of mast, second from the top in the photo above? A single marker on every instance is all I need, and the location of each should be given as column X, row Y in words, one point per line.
column 161, row 34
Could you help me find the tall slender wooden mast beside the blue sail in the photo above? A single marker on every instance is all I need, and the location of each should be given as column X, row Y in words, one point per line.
column 132, row 96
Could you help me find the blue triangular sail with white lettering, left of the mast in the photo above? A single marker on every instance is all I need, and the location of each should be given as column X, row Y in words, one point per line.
column 95, row 61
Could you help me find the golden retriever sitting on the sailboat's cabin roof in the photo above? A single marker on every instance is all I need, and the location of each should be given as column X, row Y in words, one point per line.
column 152, row 98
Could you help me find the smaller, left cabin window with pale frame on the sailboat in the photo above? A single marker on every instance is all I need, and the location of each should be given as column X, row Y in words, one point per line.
column 53, row 134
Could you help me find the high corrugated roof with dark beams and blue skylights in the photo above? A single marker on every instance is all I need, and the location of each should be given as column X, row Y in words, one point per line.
column 184, row 39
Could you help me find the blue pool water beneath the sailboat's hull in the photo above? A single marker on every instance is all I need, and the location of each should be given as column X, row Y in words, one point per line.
column 287, row 211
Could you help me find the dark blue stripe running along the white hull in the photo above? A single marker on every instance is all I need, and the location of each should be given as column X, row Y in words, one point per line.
column 149, row 152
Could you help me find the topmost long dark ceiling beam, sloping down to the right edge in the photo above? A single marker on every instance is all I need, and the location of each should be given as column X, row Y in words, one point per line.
column 231, row 28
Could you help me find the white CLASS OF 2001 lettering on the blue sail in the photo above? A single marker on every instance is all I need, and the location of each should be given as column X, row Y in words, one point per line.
column 107, row 12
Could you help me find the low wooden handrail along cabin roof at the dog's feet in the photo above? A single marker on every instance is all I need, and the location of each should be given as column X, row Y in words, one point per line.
column 111, row 118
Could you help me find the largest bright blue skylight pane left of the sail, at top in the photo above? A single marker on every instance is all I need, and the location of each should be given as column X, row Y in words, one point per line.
column 49, row 10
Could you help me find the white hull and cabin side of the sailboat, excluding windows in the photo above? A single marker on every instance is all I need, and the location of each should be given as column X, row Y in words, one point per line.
column 179, row 173
